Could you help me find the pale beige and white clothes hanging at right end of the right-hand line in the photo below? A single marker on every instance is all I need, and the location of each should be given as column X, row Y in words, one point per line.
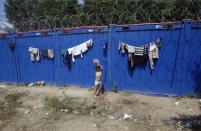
column 154, row 51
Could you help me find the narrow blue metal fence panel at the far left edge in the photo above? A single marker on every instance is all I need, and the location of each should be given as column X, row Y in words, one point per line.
column 7, row 62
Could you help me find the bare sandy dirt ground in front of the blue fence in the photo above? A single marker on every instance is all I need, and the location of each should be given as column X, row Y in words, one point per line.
column 148, row 113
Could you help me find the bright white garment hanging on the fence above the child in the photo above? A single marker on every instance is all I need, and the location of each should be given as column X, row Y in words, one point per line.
column 78, row 50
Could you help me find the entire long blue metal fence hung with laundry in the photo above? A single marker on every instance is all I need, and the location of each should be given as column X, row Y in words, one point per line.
column 177, row 71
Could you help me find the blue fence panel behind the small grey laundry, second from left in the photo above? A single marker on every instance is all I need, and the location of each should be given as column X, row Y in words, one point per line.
column 30, row 71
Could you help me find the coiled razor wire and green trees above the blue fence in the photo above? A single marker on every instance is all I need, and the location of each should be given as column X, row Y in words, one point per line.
column 27, row 15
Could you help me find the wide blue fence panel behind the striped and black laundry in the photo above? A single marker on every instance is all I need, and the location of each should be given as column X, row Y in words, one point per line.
column 141, row 79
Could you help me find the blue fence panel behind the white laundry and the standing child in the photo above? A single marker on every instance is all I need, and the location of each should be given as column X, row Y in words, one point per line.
column 82, row 71
